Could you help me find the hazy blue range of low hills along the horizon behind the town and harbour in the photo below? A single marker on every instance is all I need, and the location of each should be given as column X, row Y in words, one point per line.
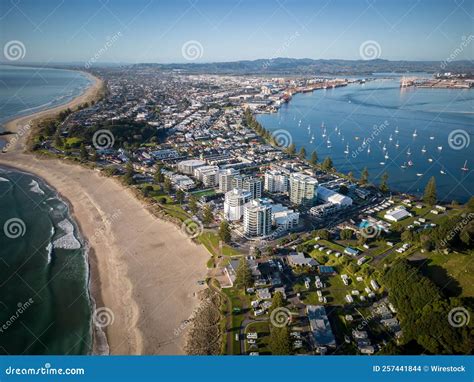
column 300, row 66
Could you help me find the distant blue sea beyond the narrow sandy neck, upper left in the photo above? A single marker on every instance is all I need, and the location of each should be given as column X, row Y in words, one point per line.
column 25, row 90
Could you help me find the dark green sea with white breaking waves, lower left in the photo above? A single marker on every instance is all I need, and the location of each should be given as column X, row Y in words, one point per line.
column 44, row 302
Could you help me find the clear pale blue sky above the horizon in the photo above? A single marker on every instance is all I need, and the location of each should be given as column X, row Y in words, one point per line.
column 165, row 31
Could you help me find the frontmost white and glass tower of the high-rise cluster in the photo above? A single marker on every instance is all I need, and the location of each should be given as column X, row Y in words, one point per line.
column 257, row 218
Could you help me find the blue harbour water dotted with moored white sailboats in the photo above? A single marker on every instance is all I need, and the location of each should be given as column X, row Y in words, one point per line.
column 383, row 115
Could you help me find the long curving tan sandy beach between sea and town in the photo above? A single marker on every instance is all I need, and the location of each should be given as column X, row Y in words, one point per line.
column 144, row 271
